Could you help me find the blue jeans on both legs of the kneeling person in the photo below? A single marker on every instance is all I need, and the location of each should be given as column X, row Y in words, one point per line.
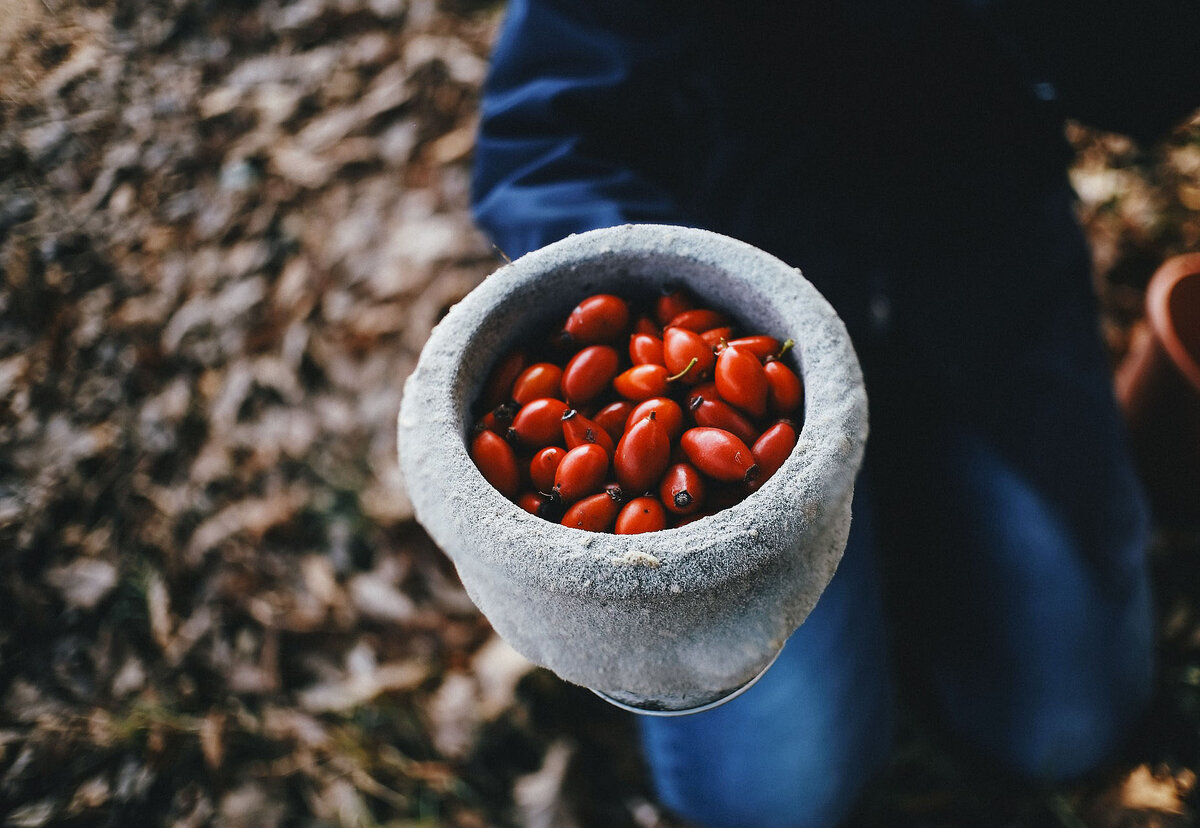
column 995, row 571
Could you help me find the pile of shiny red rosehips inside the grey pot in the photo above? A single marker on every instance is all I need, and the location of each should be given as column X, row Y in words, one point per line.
column 633, row 422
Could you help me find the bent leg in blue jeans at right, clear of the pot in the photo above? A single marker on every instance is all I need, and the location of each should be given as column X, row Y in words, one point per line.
column 1017, row 538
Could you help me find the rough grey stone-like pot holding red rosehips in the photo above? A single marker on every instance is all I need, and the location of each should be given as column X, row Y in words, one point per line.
column 670, row 621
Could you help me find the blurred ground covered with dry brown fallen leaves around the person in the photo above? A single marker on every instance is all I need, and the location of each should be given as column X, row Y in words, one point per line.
column 226, row 231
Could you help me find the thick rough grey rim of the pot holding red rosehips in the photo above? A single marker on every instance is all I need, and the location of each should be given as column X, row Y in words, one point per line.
column 590, row 565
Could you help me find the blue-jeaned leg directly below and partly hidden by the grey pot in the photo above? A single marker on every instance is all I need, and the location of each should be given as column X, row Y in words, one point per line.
column 797, row 748
